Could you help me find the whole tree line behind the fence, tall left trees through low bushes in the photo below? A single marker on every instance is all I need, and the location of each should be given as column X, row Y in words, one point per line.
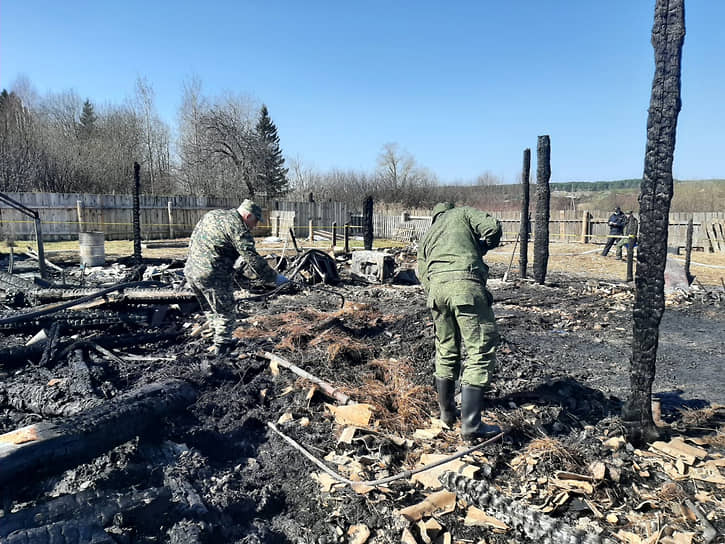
column 221, row 146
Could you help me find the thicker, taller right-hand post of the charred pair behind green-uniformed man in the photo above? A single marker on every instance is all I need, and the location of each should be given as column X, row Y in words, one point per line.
column 541, row 238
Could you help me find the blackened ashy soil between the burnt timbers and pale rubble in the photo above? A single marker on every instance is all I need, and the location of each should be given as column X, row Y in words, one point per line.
column 563, row 356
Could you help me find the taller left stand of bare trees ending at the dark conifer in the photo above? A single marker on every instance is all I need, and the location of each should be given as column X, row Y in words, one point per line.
column 225, row 146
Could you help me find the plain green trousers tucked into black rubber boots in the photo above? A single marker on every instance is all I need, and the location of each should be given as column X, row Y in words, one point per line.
column 462, row 316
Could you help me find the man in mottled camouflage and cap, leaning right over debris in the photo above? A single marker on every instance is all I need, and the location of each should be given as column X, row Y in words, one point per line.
column 220, row 237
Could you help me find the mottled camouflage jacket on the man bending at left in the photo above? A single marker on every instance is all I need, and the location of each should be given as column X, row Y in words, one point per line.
column 217, row 240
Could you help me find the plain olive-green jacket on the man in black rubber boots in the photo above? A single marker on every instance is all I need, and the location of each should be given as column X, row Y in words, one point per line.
column 454, row 246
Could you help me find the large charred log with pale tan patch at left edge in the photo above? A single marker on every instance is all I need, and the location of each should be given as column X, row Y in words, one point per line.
column 47, row 447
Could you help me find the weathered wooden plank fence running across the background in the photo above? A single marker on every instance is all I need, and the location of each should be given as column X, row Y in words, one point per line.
column 64, row 215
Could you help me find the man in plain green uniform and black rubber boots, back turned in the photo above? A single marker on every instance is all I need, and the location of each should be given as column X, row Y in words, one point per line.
column 454, row 276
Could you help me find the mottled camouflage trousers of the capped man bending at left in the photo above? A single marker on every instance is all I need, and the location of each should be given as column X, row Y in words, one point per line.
column 217, row 301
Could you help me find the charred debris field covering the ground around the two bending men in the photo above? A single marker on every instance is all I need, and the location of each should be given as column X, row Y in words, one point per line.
column 119, row 426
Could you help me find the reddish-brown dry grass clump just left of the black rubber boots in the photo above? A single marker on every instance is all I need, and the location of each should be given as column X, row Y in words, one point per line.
column 400, row 405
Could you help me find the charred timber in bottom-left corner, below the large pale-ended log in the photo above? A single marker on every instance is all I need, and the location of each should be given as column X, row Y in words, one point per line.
column 88, row 509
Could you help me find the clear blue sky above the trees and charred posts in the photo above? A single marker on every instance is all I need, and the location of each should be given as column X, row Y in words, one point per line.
column 463, row 86
